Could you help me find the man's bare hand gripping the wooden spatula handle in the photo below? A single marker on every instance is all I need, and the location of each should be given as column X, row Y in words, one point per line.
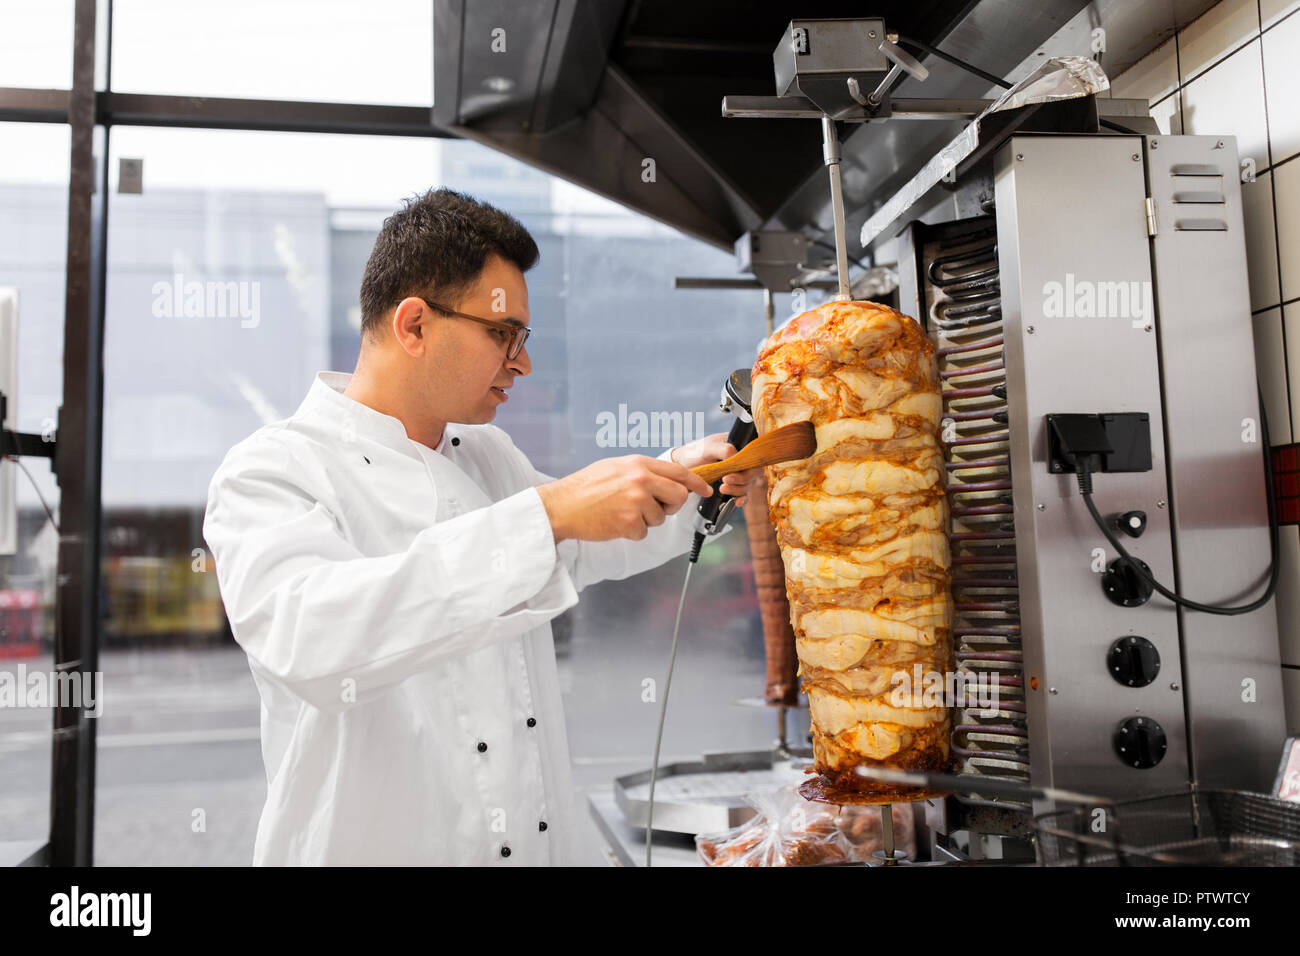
column 618, row 498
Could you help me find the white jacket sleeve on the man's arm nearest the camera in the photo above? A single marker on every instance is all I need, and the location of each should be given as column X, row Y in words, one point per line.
column 335, row 626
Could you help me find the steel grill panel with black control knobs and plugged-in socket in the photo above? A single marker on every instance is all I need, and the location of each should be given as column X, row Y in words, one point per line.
column 1071, row 210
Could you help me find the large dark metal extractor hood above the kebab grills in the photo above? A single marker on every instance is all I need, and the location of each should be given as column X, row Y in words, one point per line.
column 591, row 90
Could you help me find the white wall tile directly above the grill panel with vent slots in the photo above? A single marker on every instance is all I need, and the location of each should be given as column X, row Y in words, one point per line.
column 1229, row 101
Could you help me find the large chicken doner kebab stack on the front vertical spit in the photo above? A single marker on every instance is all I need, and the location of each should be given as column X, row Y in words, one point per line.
column 863, row 530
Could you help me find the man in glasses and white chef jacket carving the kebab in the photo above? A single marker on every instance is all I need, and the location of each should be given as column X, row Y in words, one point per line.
column 389, row 561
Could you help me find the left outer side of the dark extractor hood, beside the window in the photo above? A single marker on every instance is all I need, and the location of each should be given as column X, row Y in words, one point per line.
column 569, row 105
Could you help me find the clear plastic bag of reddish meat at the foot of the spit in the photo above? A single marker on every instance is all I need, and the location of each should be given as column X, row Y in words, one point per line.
column 792, row 832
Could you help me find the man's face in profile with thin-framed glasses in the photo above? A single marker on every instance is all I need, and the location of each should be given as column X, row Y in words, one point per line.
column 466, row 369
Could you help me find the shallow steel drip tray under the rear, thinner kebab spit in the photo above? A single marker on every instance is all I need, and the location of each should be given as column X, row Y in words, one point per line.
column 707, row 795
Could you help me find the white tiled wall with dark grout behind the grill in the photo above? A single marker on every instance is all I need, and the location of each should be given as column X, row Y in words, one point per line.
column 1237, row 72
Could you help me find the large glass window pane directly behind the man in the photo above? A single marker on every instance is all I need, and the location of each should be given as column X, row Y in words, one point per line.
column 288, row 222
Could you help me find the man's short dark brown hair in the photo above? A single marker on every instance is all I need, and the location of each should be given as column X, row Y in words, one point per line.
column 436, row 245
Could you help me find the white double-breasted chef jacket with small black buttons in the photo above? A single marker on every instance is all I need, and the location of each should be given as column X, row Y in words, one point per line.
column 395, row 603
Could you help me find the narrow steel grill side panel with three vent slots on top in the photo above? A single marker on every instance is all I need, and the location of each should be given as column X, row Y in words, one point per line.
column 1216, row 496
